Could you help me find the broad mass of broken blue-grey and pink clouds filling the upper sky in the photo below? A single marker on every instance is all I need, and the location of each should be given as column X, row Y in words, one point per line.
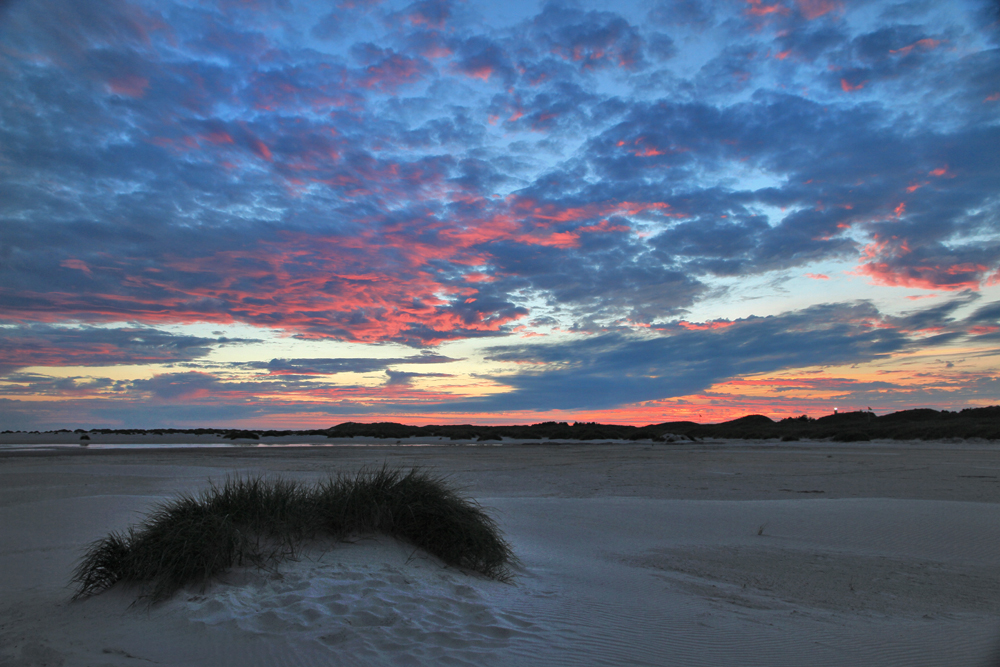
column 308, row 190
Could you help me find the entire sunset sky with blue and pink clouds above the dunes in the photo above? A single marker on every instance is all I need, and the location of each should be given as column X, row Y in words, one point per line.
column 289, row 214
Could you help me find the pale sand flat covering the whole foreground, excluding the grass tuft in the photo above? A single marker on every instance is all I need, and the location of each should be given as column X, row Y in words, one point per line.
column 630, row 554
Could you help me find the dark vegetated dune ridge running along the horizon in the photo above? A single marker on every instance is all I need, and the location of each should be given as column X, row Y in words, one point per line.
column 920, row 424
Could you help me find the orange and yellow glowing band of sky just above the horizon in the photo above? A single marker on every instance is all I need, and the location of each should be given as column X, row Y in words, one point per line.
column 897, row 382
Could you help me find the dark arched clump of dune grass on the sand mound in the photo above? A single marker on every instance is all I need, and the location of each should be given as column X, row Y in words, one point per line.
column 257, row 521
